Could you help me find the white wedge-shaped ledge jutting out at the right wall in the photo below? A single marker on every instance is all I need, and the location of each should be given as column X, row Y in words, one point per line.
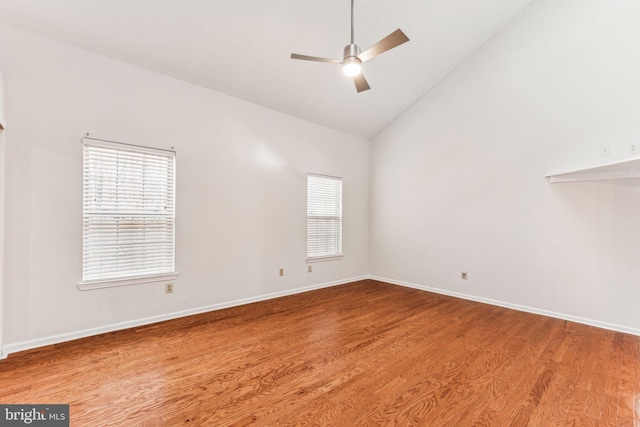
column 620, row 169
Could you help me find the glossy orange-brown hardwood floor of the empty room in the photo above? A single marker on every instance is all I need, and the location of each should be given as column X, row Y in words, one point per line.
column 366, row 353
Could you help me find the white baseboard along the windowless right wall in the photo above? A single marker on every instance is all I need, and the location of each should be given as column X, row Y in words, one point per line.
column 562, row 316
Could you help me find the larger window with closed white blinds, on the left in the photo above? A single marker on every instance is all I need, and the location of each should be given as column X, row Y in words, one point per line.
column 128, row 214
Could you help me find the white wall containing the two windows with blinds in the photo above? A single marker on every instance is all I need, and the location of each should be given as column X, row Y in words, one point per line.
column 241, row 191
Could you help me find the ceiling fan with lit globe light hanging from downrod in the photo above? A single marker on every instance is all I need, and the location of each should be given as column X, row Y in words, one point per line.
column 353, row 58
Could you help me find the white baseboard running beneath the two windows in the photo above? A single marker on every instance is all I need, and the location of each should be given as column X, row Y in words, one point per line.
column 56, row 339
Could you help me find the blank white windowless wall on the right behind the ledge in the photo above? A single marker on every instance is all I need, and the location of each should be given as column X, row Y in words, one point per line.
column 458, row 180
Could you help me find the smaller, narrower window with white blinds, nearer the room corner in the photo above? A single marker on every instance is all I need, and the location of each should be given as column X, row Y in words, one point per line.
column 324, row 217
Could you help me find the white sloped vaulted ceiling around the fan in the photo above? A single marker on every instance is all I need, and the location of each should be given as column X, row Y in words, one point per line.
column 242, row 47
